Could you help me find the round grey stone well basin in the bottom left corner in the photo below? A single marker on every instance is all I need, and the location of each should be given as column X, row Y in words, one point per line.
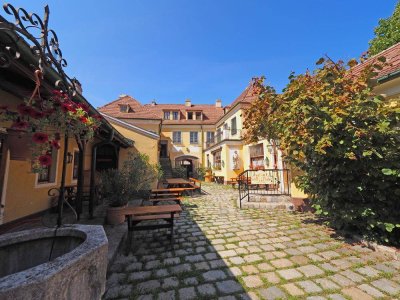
column 45, row 263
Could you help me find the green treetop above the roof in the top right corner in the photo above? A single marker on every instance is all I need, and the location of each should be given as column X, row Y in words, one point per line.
column 387, row 33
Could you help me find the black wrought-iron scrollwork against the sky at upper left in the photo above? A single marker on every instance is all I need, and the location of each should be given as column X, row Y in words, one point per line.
column 42, row 41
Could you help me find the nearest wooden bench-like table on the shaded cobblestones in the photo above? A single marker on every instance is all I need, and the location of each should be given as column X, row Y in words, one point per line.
column 137, row 214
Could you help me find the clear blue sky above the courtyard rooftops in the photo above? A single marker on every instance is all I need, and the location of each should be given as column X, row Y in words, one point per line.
column 202, row 50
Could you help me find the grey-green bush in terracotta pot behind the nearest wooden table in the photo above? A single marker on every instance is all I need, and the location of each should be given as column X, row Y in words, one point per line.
column 117, row 187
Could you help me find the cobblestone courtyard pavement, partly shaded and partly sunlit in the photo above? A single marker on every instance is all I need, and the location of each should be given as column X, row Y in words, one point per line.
column 221, row 252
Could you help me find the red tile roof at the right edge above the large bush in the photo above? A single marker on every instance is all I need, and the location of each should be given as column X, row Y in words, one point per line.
column 392, row 56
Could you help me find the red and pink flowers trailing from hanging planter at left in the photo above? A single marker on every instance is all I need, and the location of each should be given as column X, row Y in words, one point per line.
column 45, row 120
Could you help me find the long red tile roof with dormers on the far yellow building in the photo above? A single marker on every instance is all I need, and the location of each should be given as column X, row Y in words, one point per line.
column 211, row 113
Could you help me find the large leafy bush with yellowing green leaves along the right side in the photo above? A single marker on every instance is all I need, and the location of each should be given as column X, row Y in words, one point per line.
column 344, row 139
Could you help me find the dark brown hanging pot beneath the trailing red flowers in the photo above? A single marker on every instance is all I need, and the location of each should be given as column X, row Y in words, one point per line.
column 19, row 143
